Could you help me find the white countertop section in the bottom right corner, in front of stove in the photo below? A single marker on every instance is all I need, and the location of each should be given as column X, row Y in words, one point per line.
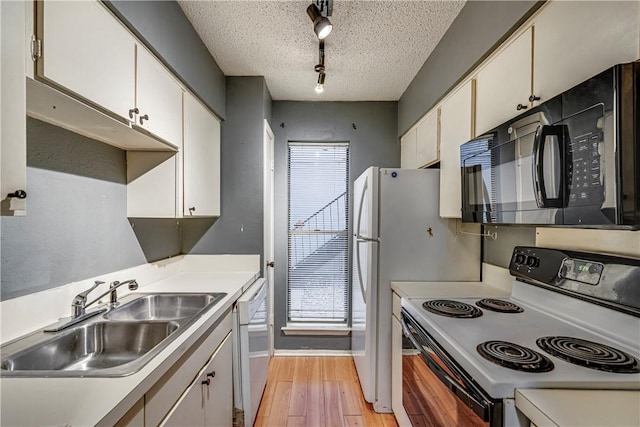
column 582, row 408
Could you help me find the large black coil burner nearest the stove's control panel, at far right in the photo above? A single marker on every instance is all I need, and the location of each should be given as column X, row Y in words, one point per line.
column 590, row 354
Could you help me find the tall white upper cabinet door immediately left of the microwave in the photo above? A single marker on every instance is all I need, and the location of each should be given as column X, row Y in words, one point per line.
column 455, row 129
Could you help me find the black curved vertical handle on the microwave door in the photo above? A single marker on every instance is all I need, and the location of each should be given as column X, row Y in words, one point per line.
column 561, row 133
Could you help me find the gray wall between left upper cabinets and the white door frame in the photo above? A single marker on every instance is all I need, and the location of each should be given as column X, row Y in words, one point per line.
column 239, row 230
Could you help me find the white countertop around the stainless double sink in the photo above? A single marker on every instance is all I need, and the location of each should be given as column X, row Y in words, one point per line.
column 103, row 401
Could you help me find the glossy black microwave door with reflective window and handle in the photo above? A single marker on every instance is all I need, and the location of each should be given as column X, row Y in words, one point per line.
column 520, row 180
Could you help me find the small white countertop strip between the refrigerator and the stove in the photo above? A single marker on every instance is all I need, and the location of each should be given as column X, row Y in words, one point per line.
column 446, row 289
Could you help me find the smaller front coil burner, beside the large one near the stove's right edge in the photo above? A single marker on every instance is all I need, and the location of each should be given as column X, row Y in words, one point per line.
column 514, row 356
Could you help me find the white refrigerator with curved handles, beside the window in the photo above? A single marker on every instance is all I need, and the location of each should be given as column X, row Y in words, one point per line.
column 399, row 236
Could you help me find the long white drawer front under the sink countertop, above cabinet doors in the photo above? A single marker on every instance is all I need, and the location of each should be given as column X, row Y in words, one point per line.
column 164, row 394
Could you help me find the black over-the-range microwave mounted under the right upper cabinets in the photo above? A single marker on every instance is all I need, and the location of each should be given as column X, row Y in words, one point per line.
column 573, row 160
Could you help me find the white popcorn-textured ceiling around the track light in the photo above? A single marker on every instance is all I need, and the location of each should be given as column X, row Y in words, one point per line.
column 372, row 54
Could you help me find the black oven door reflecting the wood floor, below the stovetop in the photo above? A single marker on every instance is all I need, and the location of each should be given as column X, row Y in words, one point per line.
column 432, row 381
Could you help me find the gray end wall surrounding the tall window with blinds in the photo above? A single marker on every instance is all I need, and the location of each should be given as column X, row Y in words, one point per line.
column 373, row 142
